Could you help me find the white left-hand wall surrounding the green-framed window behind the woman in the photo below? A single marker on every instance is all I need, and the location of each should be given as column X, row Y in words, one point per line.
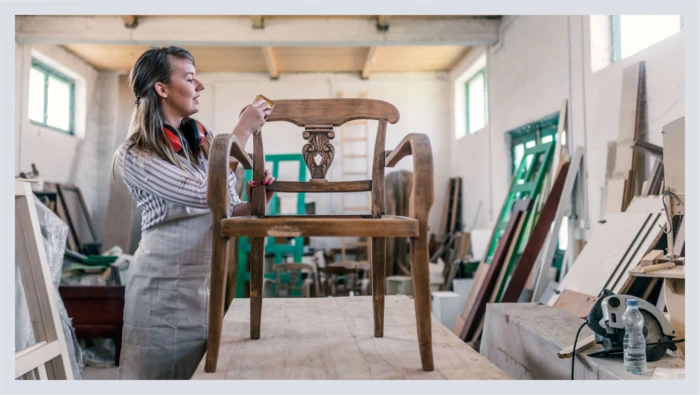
column 81, row 158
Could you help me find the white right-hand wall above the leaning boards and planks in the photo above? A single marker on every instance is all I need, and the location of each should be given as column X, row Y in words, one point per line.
column 528, row 76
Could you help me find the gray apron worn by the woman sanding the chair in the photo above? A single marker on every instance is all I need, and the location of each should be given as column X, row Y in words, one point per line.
column 167, row 298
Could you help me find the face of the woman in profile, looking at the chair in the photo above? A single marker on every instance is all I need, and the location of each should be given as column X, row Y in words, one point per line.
column 182, row 93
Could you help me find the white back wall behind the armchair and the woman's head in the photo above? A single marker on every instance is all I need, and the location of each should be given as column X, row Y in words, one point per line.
column 421, row 99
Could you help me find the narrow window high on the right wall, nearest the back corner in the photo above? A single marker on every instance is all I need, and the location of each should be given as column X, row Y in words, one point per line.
column 471, row 98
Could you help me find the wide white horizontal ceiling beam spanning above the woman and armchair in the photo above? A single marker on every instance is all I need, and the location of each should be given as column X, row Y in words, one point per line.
column 218, row 31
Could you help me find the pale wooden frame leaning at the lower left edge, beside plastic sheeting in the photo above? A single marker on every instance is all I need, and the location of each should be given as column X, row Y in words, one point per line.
column 48, row 358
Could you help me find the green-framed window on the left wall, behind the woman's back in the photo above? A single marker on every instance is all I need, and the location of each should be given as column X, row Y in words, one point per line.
column 51, row 98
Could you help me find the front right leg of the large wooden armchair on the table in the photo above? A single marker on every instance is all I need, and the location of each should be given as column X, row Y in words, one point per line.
column 420, row 272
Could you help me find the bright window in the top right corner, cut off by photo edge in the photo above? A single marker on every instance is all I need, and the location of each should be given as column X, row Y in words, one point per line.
column 633, row 33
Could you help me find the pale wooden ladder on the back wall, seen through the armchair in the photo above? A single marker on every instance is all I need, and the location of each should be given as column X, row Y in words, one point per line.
column 350, row 174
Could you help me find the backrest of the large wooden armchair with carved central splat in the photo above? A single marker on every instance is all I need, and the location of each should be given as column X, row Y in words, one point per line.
column 318, row 117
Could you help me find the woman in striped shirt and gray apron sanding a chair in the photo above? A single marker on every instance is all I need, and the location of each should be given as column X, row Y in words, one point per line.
column 164, row 164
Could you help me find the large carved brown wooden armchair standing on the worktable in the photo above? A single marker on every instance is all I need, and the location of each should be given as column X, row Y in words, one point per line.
column 318, row 117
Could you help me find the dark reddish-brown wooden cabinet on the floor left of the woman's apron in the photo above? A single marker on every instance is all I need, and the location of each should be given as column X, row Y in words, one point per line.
column 96, row 311
